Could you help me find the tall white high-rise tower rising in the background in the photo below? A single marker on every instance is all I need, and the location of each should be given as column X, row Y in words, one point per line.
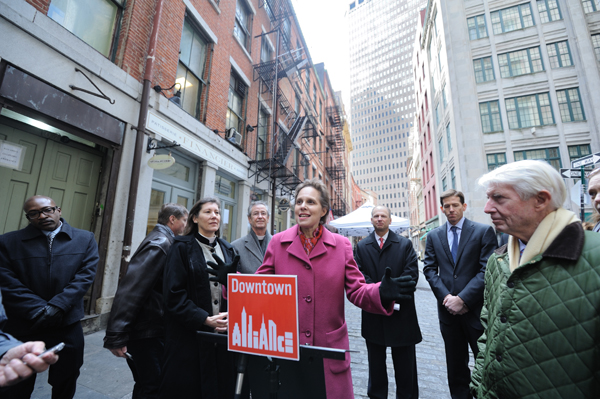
column 382, row 96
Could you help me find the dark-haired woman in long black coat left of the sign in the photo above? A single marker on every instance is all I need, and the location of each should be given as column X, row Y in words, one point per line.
column 194, row 368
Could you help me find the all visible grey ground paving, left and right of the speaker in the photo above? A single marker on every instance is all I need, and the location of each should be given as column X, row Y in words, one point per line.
column 104, row 376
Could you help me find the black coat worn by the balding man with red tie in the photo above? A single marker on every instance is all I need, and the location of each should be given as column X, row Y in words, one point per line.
column 402, row 327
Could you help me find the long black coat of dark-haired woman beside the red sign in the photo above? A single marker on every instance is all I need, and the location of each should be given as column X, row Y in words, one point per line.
column 193, row 368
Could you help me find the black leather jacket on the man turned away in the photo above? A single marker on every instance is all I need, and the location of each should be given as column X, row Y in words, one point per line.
column 137, row 310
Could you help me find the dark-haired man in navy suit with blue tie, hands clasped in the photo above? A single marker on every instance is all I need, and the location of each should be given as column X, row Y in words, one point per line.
column 455, row 258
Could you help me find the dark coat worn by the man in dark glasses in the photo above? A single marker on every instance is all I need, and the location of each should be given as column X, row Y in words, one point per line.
column 31, row 276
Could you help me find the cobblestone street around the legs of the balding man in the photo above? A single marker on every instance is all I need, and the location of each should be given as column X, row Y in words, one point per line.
column 431, row 361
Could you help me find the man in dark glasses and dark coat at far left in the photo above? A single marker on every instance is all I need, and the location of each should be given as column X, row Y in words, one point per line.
column 45, row 270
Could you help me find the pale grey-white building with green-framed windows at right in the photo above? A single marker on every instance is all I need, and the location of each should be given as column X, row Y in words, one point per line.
column 509, row 80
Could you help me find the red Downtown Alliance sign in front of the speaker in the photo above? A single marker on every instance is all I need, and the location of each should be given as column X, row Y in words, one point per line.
column 263, row 315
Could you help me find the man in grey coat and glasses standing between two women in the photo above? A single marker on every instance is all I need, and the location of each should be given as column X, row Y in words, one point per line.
column 253, row 246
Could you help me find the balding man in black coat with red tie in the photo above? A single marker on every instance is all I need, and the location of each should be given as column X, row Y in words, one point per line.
column 381, row 250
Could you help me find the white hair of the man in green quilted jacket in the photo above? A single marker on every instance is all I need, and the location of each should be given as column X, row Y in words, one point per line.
column 528, row 178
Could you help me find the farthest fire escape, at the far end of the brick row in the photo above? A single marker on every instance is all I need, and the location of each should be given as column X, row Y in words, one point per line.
column 335, row 167
